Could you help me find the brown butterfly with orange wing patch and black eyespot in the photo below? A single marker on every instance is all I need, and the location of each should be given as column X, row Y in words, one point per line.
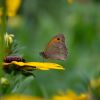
column 56, row 48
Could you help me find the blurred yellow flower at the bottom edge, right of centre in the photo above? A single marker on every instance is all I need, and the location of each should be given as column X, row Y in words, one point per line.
column 71, row 96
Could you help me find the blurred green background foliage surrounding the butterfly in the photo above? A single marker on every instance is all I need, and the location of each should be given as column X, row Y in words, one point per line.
column 37, row 22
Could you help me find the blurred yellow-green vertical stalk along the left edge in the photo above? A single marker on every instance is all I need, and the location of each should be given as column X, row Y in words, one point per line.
column 2, row 46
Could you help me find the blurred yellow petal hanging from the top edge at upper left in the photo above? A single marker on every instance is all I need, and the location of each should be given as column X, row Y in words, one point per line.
column 12, row 7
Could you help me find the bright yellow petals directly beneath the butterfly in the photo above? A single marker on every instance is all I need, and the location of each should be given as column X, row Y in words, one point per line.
column 35, row 65
